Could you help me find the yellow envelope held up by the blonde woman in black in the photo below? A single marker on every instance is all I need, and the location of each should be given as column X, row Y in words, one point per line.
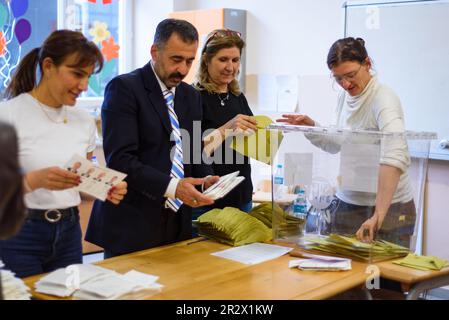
column 261, row 145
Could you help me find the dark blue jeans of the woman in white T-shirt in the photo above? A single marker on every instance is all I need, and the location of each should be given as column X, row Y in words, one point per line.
column 41, row 246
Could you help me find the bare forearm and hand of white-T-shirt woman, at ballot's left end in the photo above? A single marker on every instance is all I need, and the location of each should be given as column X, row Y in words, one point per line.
column 53, row 178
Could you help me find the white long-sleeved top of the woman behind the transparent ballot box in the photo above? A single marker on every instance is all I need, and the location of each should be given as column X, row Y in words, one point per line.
column 376, row 108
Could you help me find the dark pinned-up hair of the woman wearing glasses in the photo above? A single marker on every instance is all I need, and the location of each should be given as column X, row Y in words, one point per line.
column 347, row 49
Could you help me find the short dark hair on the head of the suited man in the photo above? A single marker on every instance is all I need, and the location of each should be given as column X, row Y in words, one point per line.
column 184, row 29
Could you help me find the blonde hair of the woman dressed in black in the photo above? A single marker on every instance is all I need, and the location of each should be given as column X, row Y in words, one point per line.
column 217, row 40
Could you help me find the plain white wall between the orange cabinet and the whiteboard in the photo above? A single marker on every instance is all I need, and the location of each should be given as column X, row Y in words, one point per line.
column 283, row 36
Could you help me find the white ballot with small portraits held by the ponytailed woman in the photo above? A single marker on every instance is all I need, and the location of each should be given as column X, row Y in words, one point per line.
column 95, row 180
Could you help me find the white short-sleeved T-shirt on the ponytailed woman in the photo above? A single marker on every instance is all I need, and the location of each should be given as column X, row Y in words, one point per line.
column 44, row 143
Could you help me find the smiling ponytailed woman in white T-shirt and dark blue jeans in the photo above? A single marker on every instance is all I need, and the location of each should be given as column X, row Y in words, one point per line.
column 50, row 131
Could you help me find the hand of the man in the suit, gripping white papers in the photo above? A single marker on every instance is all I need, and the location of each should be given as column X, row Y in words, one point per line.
column 186, row 192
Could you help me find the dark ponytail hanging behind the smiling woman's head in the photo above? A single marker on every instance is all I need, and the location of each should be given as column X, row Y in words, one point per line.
column 24, row 78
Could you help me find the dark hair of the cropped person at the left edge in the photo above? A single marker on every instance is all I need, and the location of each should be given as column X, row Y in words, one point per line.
column 12, row 208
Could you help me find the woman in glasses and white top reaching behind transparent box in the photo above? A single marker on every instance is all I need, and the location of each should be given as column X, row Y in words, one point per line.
column 365, row 103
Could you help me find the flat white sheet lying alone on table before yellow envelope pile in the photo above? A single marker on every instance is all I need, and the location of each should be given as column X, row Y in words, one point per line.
column 253, row 253
